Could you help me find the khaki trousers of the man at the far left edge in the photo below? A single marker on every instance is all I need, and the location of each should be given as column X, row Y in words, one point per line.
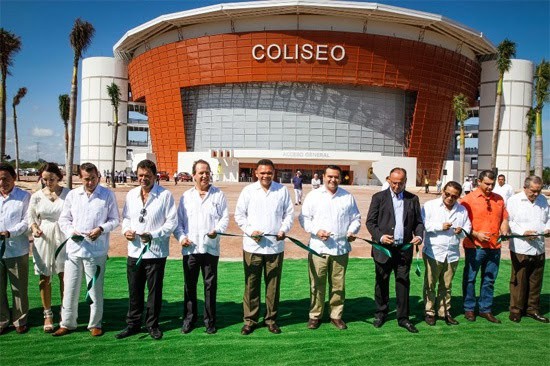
column 17, row 270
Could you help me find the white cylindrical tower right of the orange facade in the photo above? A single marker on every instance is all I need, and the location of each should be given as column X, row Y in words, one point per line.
column 516, row 101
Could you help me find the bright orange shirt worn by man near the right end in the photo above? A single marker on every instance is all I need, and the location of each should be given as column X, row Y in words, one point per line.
column 486, row 215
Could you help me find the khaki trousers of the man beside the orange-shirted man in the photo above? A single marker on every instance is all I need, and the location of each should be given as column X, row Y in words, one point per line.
column 441, row 274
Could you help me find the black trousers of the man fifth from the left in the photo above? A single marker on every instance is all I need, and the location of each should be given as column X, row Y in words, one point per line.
column 193, row 264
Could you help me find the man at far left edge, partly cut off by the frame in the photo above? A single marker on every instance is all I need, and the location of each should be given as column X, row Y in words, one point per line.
column 14, row 251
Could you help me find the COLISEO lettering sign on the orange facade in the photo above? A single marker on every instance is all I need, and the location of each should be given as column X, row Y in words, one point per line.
column 320, row 52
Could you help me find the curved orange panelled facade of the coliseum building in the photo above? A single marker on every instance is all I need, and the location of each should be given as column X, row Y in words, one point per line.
column 434, row 72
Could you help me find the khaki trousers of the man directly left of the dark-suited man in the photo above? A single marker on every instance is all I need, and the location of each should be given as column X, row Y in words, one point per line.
column 333, row 267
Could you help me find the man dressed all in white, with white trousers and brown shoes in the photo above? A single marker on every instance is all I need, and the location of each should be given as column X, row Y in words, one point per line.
column 89, row 213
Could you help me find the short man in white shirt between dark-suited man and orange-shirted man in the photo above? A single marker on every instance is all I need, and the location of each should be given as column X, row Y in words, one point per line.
column 444, row 221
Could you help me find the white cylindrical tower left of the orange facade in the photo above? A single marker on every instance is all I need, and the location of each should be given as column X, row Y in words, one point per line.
column 96, row 135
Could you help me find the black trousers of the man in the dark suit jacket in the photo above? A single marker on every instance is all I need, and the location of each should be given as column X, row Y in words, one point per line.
column 400, row 264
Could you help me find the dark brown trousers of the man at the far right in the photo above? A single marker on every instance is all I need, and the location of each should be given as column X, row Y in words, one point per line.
column 526, row 283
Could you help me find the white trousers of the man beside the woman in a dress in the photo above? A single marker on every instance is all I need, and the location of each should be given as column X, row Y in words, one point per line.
column 74, row 267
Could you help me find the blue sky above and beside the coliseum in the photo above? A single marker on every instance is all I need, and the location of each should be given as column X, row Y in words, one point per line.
column 44, row 64
